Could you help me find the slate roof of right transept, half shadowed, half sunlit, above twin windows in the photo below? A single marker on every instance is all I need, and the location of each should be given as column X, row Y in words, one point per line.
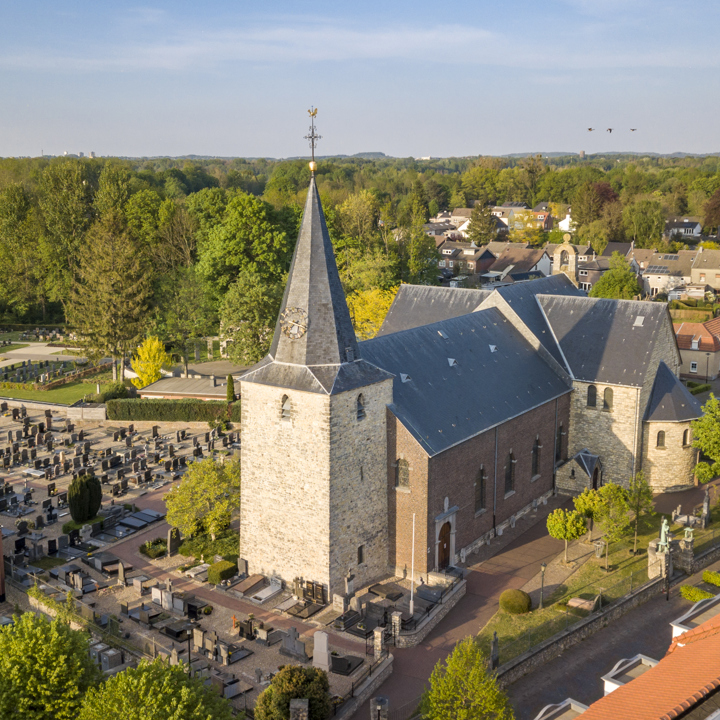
column 604, row 340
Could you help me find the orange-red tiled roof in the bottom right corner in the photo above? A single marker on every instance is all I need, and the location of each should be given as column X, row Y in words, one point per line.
column 688, row 673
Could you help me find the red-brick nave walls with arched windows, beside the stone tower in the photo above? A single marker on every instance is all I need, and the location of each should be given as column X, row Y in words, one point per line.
column 452, row 474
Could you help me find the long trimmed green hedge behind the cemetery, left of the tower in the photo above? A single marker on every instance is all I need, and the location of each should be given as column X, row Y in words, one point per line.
column 172, row 410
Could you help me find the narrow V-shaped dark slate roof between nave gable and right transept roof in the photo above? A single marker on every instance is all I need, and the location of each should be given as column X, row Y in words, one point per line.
column 522, row 298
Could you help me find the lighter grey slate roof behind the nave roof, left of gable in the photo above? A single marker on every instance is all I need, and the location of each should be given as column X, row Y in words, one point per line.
column 416, row 305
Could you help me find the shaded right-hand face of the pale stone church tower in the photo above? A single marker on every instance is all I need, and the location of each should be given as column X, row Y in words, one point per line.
column 358, row 479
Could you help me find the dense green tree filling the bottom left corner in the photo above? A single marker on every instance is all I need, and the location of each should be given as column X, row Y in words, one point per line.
column 45, row 669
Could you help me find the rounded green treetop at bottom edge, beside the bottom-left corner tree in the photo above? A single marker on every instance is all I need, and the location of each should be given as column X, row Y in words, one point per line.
column 154, row 691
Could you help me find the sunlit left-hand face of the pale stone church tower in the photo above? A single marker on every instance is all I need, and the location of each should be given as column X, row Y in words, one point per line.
column 285, row 509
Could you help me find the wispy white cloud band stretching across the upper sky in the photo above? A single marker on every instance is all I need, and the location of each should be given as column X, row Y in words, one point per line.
column 294, row 41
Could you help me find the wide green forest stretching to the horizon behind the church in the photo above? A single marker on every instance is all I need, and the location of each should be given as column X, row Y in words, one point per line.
column 121, row 248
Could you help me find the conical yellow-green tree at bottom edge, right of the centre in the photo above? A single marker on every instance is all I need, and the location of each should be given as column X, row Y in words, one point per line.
column 462, row 688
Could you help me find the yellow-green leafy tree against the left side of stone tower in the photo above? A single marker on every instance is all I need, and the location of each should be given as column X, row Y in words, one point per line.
column 206, row 498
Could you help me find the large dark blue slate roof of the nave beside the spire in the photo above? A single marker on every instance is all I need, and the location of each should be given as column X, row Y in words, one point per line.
column 431, row 403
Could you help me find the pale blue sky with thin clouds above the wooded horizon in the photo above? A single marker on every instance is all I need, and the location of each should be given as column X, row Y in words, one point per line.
column 405, row 78
